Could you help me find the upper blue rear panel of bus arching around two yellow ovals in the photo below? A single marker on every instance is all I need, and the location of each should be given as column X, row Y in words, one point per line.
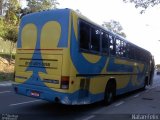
column 41, row 18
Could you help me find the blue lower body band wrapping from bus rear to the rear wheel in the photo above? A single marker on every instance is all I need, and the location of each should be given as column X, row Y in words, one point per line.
column 45, row 93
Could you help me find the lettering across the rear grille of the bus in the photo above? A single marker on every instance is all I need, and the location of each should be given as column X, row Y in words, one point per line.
column 37, row 64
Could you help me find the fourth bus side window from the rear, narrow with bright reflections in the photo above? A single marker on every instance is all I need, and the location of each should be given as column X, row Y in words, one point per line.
column 112, row 45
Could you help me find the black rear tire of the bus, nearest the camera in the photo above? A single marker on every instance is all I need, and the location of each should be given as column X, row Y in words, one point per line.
column 110, row 92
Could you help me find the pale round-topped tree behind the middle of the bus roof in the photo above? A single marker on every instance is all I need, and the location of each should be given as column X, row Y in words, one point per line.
column 115, row 27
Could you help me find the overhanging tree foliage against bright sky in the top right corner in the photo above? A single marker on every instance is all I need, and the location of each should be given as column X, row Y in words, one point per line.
column 144, row 4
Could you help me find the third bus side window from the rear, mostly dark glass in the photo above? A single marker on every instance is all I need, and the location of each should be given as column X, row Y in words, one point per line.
column 105, row 42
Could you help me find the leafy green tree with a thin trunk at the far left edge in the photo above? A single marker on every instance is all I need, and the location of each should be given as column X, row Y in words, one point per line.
column 10, row 23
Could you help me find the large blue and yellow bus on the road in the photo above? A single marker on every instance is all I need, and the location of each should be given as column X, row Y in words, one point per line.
column 64, row 57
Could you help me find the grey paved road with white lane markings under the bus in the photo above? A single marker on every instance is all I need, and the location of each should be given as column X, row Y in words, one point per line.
column 138, row 102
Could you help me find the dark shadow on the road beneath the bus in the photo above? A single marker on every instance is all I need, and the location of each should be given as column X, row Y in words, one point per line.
column 56, row 111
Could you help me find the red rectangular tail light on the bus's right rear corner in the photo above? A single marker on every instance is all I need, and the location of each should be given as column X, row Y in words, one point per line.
column 64, row 82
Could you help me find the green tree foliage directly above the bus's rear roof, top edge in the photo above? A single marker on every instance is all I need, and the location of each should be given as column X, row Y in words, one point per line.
column 38, row 5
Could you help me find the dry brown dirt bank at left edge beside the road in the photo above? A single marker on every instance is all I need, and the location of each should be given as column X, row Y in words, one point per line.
column 6, row 69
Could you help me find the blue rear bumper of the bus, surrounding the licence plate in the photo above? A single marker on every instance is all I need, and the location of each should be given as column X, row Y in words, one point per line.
column 51, row 95
